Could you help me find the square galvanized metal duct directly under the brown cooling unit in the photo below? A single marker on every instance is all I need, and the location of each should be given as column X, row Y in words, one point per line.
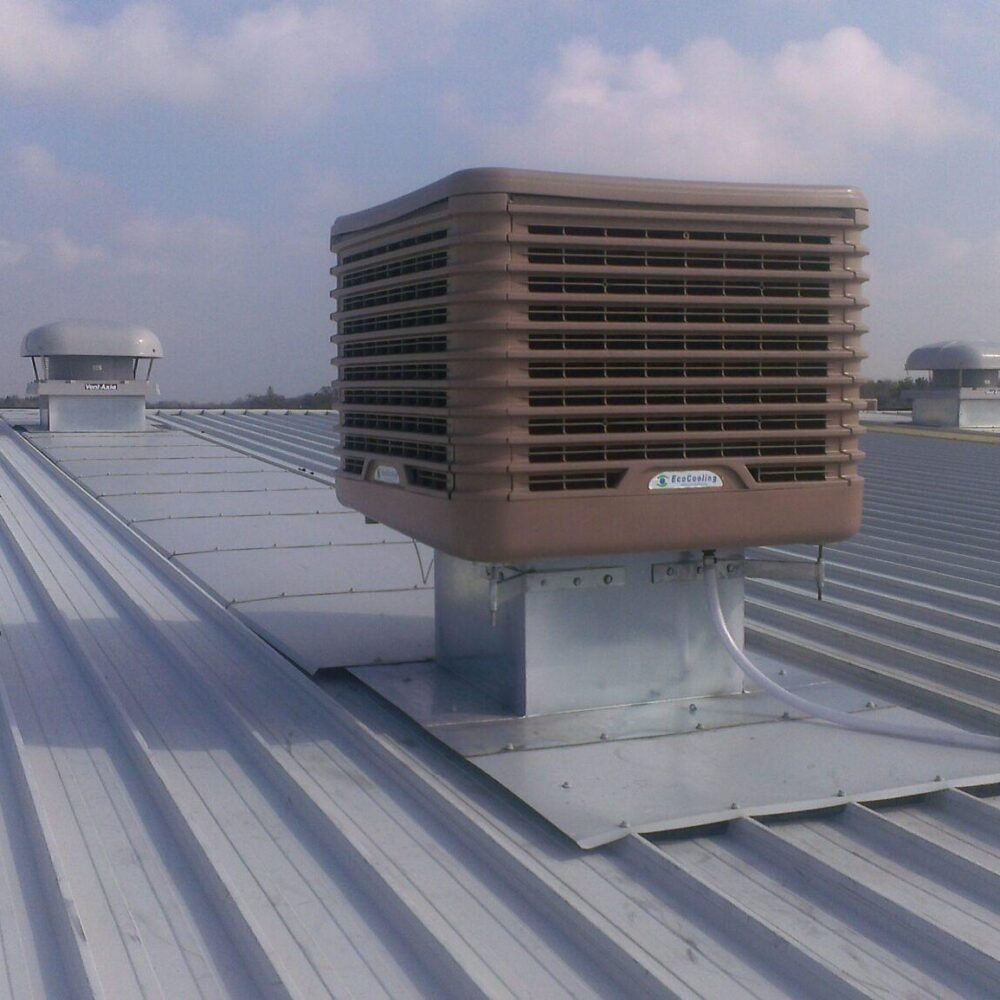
column 570, row 634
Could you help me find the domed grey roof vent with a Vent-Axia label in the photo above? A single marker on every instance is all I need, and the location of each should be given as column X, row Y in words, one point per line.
column 88, row 377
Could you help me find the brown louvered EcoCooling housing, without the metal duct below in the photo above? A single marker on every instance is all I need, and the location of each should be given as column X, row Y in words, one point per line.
column 540, row 341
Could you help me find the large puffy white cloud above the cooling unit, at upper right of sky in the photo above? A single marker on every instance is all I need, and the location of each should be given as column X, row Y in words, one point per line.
column 711, row 111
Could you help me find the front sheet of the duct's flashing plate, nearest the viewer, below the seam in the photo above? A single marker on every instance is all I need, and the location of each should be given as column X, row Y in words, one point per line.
column 598, row 792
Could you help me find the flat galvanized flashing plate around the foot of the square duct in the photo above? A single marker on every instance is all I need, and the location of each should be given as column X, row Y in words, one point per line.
column 600, row 774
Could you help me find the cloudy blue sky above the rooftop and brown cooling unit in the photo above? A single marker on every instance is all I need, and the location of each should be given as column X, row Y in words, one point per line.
column 179, row 165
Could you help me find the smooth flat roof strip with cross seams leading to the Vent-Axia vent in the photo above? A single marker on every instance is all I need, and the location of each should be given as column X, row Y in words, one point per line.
column 277, row 549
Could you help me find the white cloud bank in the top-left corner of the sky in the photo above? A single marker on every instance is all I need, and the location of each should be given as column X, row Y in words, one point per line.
column 273, row 61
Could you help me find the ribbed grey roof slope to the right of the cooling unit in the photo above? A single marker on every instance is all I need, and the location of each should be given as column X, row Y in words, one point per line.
column 911, row 603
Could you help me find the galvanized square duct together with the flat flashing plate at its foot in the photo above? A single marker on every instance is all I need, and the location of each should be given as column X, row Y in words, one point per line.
column 601, row 696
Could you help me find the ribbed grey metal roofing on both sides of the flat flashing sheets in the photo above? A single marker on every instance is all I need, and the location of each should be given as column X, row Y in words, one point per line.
column 183, row 813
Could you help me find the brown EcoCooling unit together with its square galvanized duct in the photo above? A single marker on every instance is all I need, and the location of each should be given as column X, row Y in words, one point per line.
column 570, row 385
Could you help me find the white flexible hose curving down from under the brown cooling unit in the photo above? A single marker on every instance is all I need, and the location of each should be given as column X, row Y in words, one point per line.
column 926, row 734
